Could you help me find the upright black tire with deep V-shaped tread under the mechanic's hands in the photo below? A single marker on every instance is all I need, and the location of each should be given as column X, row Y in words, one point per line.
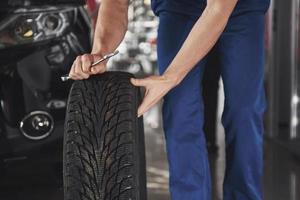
column 104, row 151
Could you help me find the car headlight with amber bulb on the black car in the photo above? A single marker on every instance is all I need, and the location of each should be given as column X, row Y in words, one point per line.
column 30, row 26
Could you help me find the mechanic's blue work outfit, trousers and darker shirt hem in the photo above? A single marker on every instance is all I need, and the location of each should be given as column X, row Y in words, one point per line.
column 241, row 52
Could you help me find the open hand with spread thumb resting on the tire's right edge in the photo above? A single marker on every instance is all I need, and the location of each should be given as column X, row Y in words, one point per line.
column 156, row 87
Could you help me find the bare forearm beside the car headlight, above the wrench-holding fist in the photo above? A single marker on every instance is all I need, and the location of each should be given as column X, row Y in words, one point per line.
column 111, row 25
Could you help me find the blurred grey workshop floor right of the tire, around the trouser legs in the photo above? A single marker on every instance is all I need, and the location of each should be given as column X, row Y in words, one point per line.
column 281, row 169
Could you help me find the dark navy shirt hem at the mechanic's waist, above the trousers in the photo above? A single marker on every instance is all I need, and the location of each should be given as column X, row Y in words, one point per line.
column 195, row 7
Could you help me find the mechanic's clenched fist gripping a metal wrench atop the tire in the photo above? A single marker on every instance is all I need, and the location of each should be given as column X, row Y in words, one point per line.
column 81, row 68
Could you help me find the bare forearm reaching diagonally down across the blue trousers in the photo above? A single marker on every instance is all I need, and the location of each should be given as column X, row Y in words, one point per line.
column 201, row 39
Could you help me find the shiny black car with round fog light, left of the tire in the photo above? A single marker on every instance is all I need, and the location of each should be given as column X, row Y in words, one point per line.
column 38, row 43
